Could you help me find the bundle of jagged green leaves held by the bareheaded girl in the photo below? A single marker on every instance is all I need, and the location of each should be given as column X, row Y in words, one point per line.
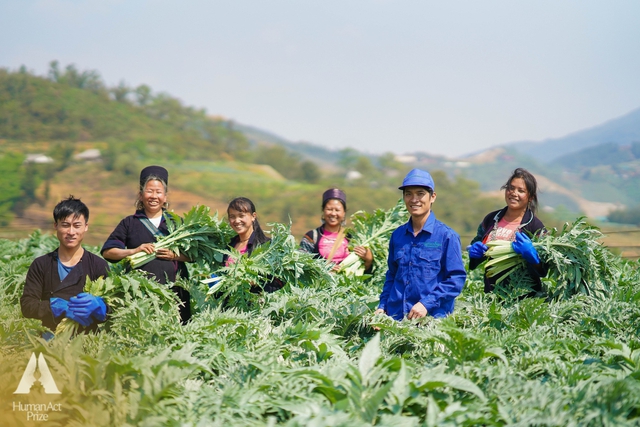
column 280, row 259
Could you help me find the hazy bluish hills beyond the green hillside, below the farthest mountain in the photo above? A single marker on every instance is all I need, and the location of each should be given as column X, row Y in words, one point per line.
column 594, row 180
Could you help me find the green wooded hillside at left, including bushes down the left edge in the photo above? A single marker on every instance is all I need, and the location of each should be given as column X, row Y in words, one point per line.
column 133, row 125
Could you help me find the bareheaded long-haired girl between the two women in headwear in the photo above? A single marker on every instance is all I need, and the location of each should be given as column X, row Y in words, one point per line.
column 244, row 221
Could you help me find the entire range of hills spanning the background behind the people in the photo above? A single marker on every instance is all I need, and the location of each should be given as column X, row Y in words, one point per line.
column 71, row 110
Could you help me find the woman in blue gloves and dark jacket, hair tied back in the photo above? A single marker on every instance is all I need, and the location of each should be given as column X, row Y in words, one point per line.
column 515, row 223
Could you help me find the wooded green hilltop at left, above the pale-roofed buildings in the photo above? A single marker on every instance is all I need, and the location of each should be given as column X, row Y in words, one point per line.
column 72, row 105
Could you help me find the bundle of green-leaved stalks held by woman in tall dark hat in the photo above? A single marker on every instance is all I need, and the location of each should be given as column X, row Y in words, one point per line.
column 197, row 235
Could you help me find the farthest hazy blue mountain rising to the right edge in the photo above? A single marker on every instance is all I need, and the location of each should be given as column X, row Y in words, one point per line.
column 622, row 131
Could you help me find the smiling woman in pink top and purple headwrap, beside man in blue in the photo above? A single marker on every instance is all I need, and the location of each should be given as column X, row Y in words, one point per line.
column 329, row 240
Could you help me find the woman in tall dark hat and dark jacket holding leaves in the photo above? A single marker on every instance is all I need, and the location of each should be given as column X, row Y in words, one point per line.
column 138, row 232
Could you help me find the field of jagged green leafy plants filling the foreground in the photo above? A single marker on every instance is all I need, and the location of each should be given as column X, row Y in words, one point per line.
column 308, row 356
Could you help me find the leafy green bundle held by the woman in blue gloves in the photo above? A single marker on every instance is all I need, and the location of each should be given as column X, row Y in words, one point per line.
column 578, row 263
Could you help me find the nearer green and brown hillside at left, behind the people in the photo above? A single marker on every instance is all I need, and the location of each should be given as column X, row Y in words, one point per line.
column 210, row 160
